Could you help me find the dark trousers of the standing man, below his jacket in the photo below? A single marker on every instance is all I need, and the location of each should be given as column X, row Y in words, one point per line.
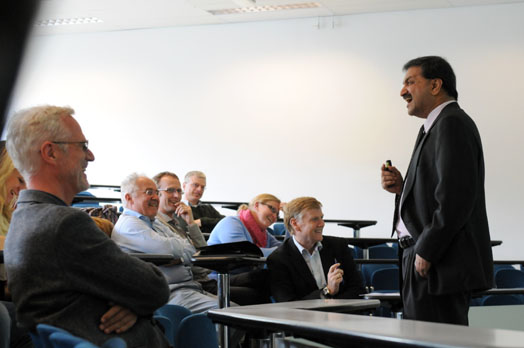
column 420, row 305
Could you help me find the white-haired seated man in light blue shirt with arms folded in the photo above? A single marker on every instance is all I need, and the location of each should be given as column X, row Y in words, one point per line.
column 137, row 230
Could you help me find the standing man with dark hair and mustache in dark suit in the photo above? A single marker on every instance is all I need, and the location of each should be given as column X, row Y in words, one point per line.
column 440, row 211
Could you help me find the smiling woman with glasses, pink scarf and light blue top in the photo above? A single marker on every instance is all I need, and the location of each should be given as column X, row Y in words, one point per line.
column 251, row 224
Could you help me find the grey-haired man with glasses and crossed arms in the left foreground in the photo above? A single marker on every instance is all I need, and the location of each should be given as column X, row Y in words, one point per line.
column 62, row 269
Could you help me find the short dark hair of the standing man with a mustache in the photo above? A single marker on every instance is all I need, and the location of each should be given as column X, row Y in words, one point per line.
column 434, row 67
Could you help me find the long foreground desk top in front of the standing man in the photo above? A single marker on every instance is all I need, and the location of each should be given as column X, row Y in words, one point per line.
column 349, row 328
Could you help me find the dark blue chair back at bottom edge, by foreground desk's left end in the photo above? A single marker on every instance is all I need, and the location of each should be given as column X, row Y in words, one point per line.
column 196, row 330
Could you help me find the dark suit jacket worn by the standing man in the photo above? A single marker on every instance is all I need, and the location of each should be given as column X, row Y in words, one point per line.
column 443, row 205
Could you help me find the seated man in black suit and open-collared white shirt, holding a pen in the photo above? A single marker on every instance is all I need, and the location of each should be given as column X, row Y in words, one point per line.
column 308, row 265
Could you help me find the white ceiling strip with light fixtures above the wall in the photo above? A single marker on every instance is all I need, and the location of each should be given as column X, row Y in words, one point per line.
column 140, row 14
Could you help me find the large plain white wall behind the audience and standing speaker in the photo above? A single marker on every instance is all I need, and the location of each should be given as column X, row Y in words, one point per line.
column 290, row 107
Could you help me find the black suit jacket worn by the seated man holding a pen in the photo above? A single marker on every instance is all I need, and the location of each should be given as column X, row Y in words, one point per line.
column 291, row 279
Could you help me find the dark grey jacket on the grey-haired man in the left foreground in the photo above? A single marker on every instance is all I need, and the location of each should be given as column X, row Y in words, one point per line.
column 66, row 272
